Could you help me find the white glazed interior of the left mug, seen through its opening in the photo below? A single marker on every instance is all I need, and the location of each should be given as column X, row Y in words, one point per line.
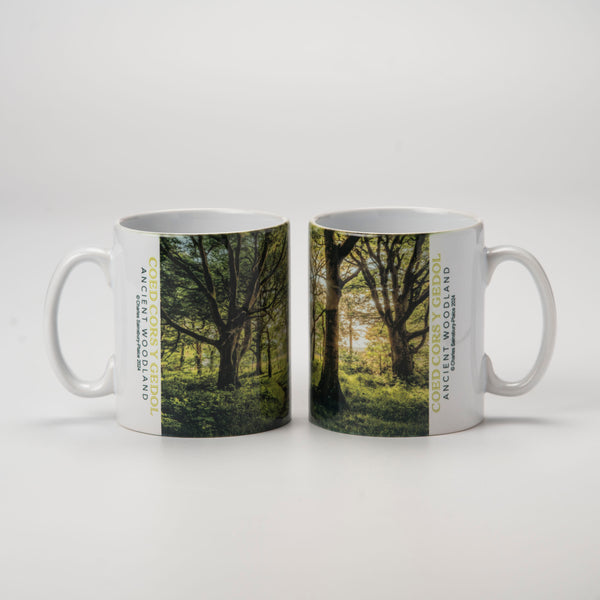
column 201, row 221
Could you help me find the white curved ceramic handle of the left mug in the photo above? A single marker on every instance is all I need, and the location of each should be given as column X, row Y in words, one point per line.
column 105, row 385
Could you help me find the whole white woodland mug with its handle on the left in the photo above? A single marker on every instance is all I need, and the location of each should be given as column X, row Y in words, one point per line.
column 201, row 322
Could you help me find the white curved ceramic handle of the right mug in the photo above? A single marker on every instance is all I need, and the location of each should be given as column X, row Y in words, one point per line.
column 496, row 385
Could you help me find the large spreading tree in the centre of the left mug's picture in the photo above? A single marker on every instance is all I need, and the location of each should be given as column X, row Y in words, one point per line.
column 225, row 283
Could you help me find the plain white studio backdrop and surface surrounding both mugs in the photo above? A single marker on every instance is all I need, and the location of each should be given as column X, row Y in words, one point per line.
column 112, row 108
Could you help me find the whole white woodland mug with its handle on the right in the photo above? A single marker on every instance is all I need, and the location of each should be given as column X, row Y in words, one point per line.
column 397, row 321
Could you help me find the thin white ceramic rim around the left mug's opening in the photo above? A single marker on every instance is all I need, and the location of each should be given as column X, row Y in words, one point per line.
column 271, row 220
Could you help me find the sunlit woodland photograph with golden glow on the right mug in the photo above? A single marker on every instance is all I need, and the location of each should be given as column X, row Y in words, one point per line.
column 369, row 333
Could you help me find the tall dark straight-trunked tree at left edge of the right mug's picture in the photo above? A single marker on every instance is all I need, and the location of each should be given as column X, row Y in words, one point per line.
column 328, row 391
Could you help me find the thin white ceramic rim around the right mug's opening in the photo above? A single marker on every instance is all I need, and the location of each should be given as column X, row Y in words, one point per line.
column 457, row 216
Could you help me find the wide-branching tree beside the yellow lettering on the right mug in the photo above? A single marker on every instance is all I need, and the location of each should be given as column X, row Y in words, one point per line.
column 396, row 271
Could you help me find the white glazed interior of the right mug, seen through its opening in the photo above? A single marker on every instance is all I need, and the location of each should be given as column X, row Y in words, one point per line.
column 395, row 221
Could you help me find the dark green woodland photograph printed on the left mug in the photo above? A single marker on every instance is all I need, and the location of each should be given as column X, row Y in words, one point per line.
column 224, row 333
